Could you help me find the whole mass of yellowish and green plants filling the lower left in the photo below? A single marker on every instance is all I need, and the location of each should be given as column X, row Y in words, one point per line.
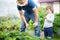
column 9, row 30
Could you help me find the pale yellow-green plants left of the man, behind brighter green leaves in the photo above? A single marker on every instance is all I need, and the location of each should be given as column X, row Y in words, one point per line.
column 9, row 23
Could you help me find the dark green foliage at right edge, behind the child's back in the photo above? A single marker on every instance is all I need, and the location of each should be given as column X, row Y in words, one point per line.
column 57, row 23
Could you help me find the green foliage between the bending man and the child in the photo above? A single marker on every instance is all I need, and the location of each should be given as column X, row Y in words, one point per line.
column 42, row 13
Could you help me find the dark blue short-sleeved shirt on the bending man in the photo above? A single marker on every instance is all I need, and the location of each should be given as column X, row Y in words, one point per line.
column 28, row 8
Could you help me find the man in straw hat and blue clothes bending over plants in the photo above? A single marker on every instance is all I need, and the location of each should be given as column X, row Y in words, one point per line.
column 30, row 12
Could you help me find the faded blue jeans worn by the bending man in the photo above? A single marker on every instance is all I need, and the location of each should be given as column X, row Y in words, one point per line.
column 28, row 17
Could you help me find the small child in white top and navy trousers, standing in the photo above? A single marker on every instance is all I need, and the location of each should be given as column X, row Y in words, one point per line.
column 48, row 24
